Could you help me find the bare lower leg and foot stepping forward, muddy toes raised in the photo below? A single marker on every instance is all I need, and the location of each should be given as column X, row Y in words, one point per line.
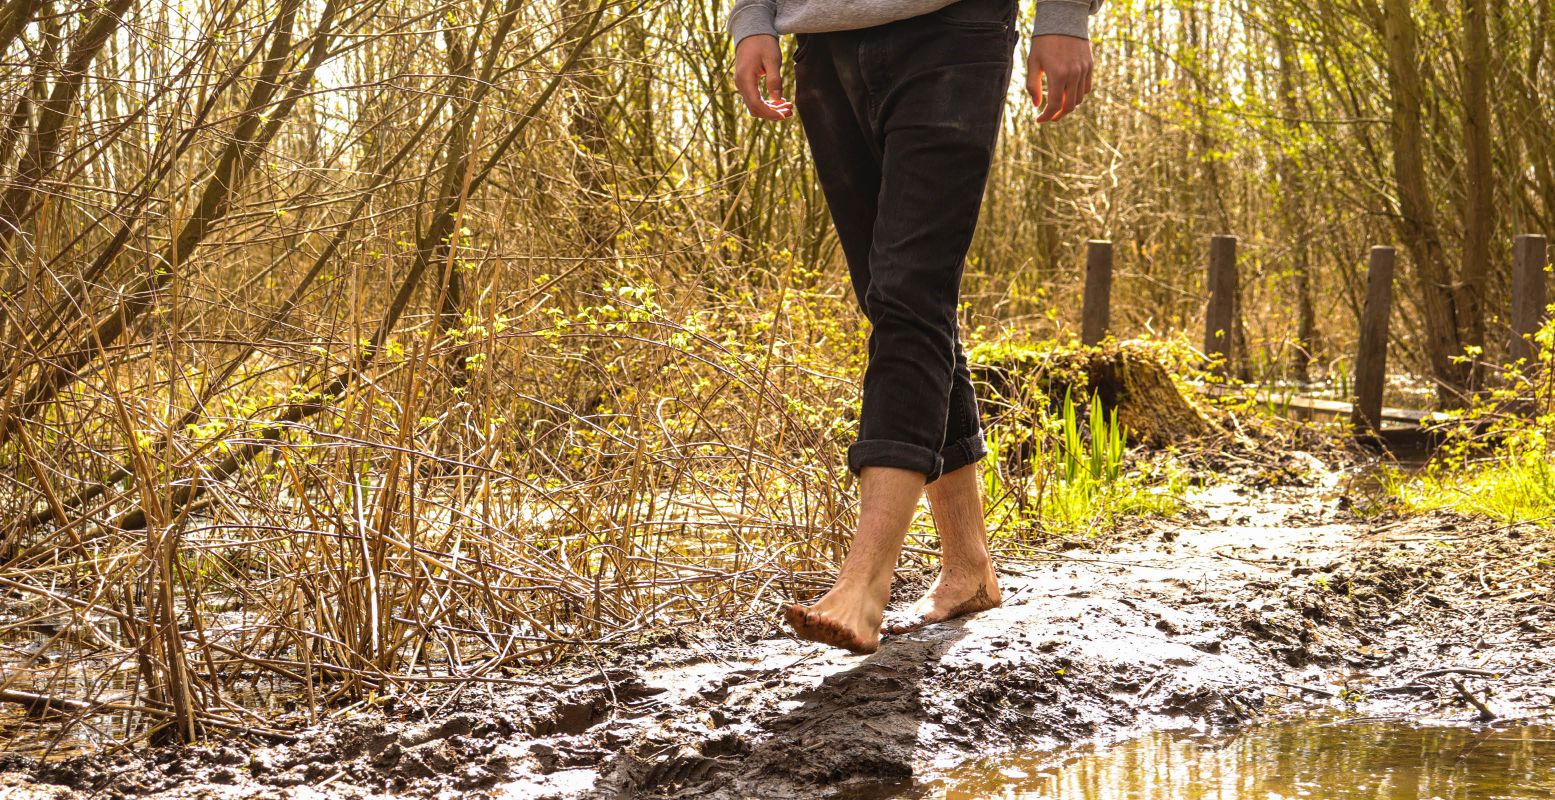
column 850, row 614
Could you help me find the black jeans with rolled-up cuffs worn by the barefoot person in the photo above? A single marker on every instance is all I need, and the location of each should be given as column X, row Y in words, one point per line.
column 903, row 121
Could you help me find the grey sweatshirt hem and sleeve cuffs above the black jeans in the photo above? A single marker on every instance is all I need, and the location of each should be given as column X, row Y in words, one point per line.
column 1069, row 18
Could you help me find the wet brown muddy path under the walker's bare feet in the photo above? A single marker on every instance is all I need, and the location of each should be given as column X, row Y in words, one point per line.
column 1254, row 606
